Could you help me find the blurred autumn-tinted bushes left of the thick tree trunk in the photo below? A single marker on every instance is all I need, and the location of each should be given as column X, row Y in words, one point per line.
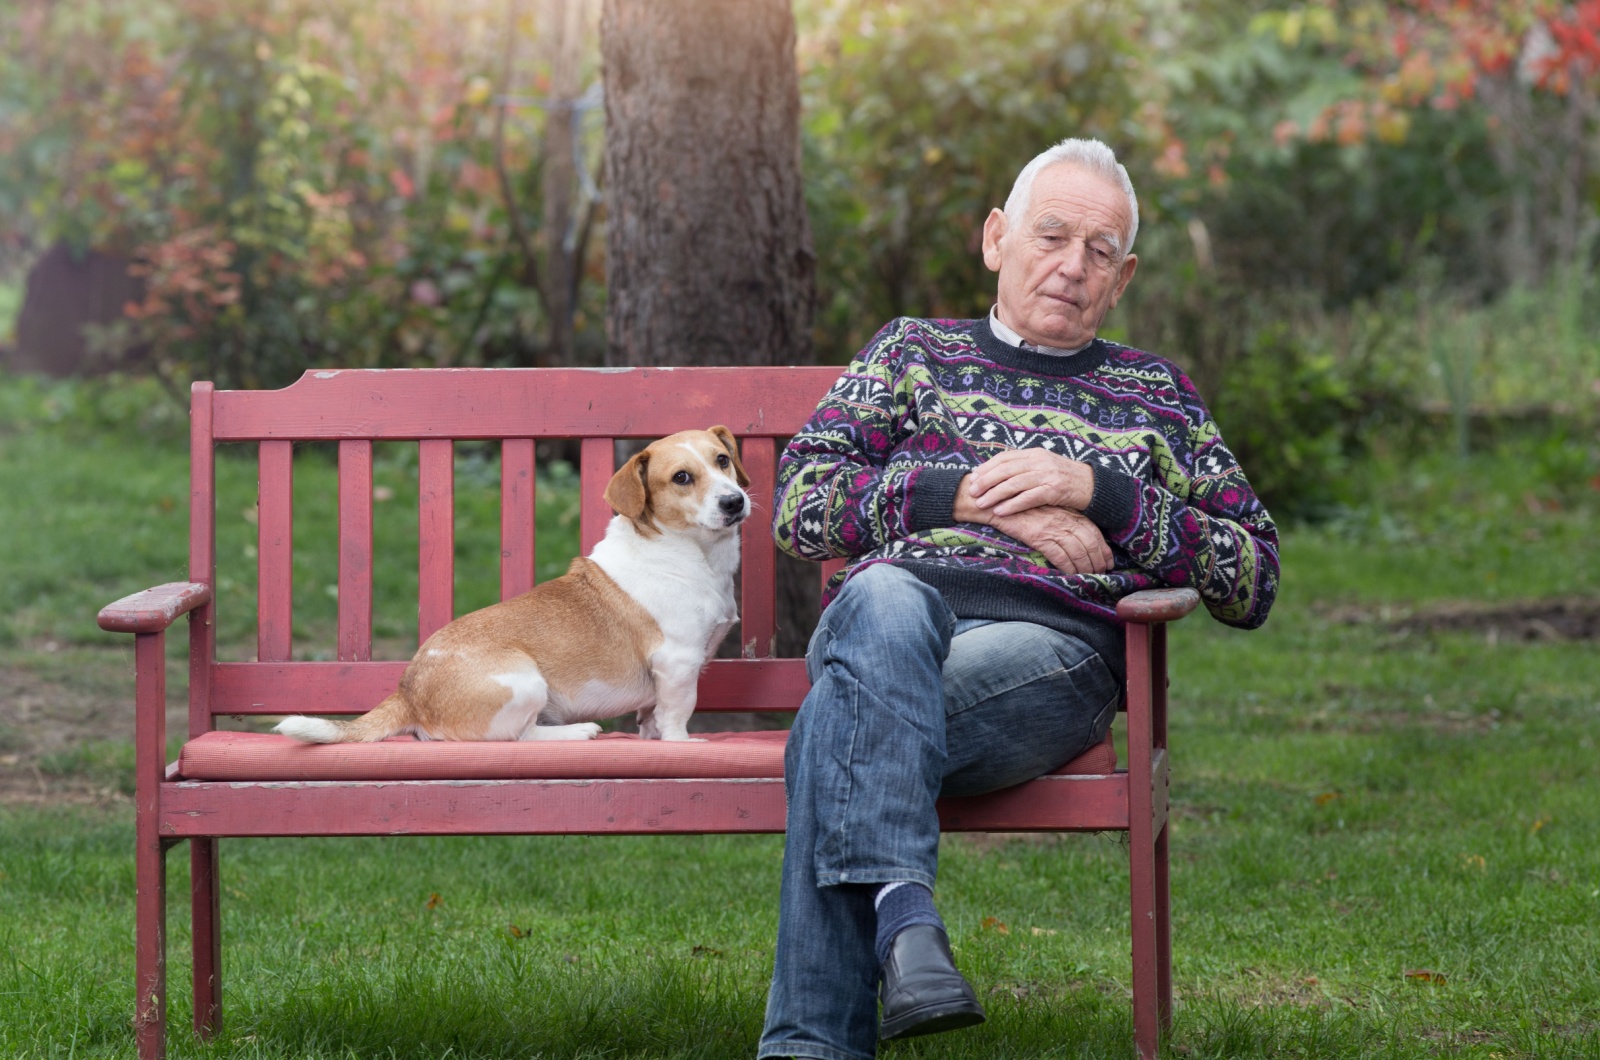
column 298, row 183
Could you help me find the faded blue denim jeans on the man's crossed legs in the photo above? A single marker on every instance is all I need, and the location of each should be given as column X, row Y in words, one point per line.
column 906, row 705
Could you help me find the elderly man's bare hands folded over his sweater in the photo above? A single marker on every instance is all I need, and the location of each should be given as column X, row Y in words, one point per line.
column 1039, row 499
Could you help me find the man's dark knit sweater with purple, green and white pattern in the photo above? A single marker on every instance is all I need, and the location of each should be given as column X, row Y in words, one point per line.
column 873, row 476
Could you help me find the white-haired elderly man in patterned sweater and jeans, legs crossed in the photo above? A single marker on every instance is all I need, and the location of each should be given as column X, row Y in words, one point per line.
column 998, row 486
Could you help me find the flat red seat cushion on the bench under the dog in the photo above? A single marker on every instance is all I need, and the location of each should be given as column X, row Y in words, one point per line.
column 612, row 757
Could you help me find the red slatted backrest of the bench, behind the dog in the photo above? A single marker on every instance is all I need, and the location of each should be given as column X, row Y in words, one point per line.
column 438, row 408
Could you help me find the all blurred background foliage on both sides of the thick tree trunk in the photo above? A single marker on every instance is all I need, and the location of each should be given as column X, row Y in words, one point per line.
column 1356, row 219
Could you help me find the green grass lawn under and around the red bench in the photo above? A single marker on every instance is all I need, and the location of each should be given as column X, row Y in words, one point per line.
column 1350, row 806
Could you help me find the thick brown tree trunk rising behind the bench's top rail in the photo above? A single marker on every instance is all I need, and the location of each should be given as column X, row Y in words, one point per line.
column 708, row 246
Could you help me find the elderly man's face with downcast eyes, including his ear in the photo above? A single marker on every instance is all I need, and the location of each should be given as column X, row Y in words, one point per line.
column 1065, row 267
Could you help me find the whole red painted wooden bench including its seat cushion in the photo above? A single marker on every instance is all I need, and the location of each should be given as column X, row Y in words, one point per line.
column 265, row 785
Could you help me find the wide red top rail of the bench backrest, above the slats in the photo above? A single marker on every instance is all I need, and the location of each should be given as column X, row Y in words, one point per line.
column 524, row 403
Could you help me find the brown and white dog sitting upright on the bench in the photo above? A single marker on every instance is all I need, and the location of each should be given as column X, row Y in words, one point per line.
column 625, row 630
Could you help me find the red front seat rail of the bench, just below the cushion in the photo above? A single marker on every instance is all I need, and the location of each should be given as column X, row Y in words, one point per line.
column 554, row 808
